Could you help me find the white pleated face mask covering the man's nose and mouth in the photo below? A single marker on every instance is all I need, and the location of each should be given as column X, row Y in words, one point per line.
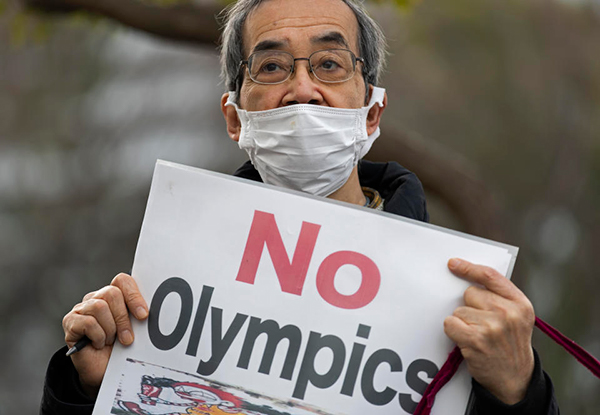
column 306, row 147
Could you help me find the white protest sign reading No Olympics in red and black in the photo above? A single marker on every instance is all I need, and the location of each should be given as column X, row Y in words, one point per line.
column 271, row 302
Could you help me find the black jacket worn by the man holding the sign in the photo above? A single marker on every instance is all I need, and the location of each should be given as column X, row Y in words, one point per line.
column 403, row 195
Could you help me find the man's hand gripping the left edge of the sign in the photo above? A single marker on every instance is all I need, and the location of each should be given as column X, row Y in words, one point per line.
column 102, row 316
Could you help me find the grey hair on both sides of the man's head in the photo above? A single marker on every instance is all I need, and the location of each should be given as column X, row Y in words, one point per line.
column 371, row 41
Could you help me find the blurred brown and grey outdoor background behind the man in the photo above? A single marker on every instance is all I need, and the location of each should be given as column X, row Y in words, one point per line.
column 494, row 103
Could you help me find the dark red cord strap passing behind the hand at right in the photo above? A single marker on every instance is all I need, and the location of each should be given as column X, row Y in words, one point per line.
column 455, row 358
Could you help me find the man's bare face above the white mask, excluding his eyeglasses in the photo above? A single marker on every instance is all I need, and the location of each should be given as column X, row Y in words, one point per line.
column 301, row 28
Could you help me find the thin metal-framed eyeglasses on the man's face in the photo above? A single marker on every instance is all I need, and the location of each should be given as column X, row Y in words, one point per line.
column 275, row 66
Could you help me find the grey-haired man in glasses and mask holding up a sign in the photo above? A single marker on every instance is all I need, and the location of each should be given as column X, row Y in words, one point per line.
column 303, row 103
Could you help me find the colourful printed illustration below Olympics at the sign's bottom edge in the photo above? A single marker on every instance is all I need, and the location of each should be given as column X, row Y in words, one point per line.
column 148, row 389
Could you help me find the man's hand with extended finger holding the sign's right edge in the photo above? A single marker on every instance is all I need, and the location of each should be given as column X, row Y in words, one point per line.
column 493, row 331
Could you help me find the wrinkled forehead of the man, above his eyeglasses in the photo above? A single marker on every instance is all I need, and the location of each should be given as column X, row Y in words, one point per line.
column 301, row 24
